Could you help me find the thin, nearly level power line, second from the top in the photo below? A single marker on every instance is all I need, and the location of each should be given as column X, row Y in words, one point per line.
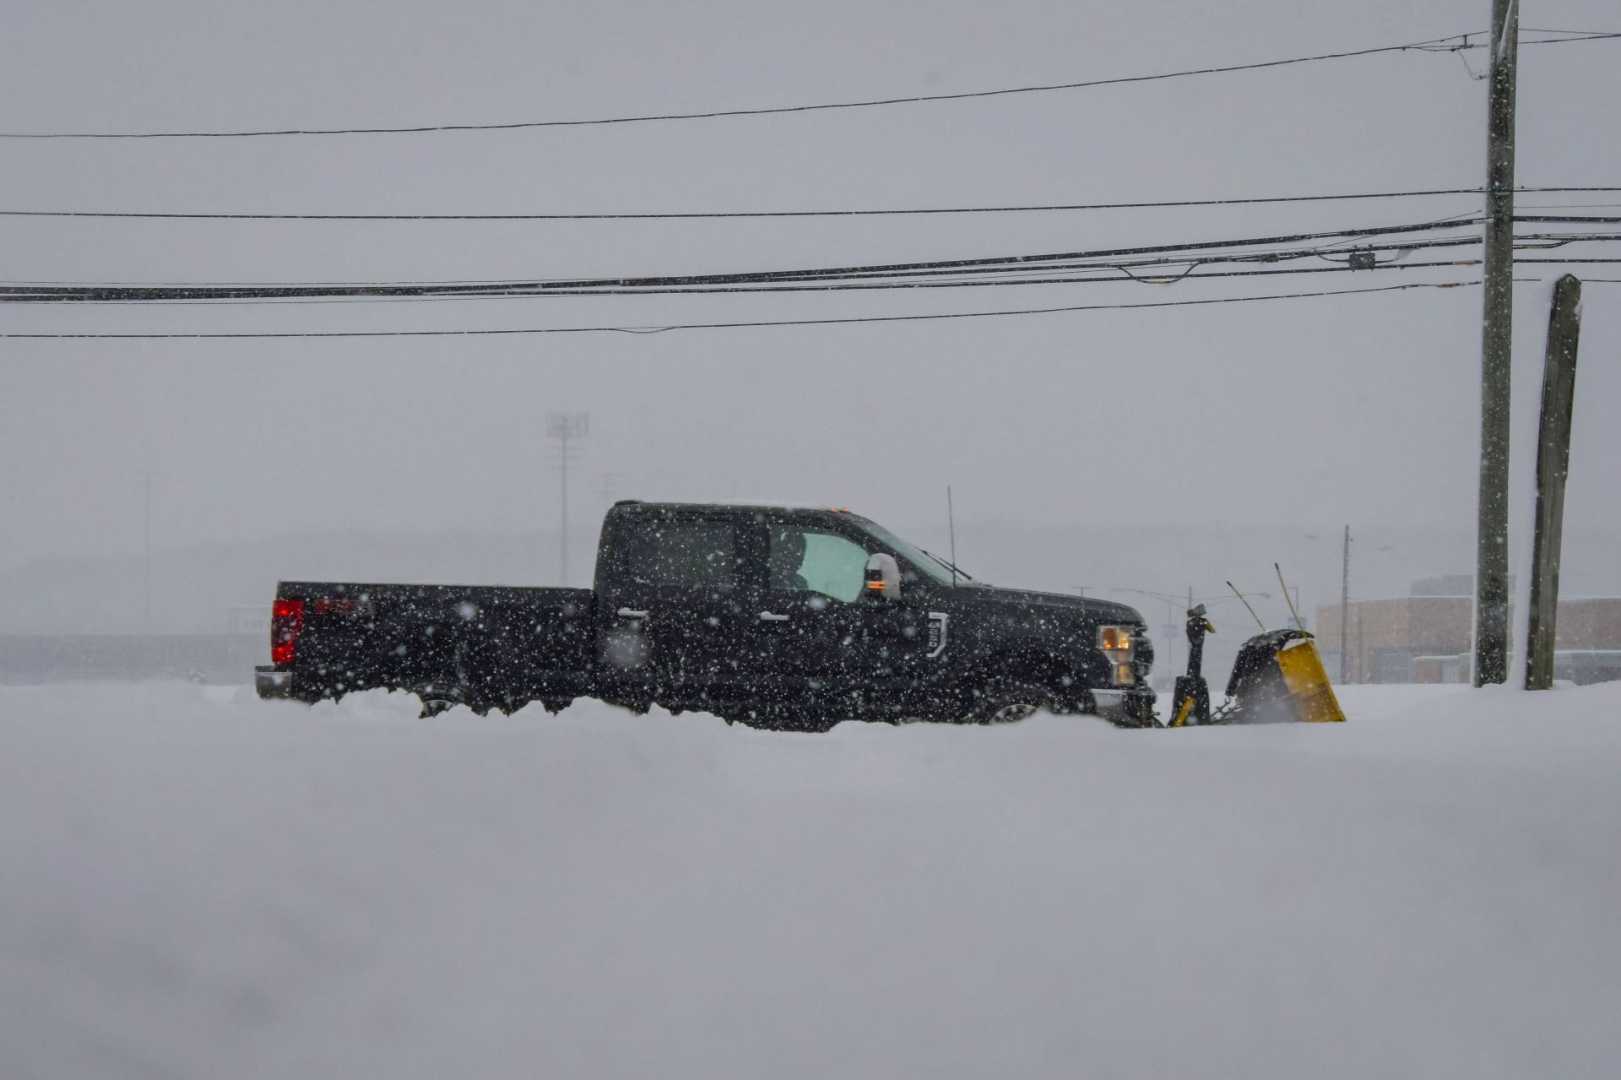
column 1033, row 208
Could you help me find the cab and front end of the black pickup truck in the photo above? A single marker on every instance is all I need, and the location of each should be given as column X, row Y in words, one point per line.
column 795, row 617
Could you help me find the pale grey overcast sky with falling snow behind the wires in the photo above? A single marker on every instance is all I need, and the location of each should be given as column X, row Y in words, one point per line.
column 1319, row 411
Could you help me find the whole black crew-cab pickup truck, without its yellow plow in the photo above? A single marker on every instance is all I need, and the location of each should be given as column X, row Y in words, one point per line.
column 769, row 615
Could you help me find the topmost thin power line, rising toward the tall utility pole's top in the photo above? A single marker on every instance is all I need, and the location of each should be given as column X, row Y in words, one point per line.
column 1456, row 43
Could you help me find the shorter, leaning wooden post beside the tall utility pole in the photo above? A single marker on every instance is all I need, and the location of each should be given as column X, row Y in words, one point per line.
column 1554, row 465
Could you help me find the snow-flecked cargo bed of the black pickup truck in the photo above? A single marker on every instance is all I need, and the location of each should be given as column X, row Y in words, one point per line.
column 487, row 646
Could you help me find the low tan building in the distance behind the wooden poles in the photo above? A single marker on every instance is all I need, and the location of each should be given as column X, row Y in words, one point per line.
column 1426, row 636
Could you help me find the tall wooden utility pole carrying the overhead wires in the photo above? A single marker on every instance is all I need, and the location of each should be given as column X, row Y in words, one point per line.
column 1492, row 528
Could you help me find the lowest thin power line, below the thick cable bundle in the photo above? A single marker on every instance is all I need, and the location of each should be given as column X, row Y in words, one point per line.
column 699, row 327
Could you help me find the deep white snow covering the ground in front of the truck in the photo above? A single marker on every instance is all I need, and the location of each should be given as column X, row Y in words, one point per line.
column 200, row 885
